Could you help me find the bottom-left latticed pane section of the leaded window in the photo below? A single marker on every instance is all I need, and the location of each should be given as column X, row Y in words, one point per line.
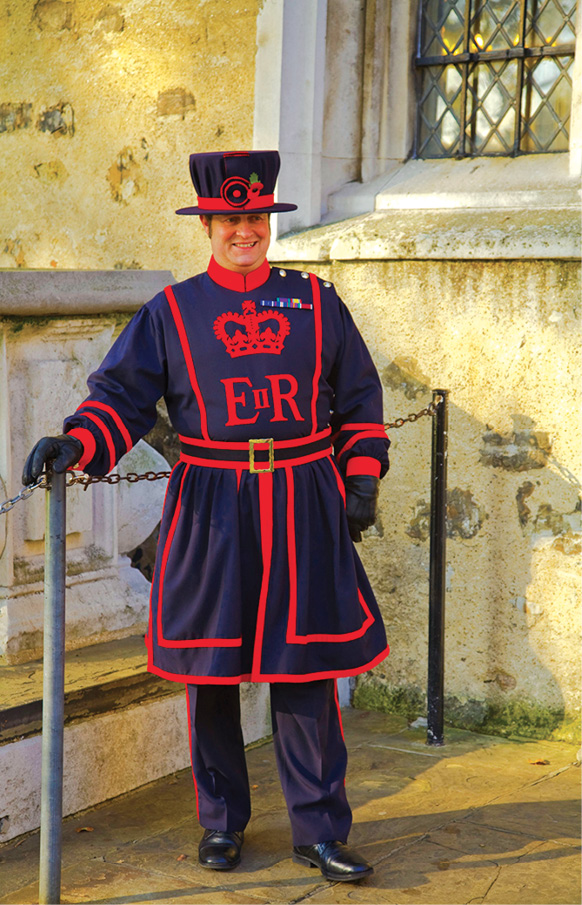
column 440, row 112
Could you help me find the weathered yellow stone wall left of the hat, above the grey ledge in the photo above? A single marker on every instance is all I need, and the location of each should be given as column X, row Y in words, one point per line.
column 100, row 105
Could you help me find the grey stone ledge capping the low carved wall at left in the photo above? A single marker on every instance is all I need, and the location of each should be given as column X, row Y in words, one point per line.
column 34, row 293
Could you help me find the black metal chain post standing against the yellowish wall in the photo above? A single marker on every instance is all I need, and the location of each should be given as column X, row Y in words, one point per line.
column 438, row 537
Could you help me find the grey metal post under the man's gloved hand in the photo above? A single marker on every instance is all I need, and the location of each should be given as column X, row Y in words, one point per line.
column 53, row 706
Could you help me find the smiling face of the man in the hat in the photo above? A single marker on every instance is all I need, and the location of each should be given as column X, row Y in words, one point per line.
column 239, row 241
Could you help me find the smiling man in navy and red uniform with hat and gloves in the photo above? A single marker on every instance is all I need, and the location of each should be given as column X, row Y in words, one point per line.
column 278, row 408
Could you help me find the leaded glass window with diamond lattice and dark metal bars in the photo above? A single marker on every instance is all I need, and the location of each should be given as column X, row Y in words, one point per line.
column 495, row 77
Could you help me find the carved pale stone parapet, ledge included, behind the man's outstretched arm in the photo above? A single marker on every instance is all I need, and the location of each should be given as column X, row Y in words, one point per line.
column 45, row 357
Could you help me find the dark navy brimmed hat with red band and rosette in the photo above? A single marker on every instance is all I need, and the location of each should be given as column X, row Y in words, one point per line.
column 240, row 181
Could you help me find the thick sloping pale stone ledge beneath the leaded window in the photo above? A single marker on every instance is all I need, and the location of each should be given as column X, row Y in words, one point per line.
column 495, row 208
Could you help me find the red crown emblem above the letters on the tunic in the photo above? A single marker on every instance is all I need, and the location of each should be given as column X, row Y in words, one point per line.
column 253, row 340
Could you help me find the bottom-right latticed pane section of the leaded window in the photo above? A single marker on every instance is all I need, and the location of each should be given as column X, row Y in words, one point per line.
column 545, row 104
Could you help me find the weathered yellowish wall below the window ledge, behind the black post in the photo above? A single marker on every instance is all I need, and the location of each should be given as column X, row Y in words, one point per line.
column 503, row 338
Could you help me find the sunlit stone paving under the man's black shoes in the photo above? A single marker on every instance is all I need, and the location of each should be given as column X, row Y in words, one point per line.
column 471, row 822
